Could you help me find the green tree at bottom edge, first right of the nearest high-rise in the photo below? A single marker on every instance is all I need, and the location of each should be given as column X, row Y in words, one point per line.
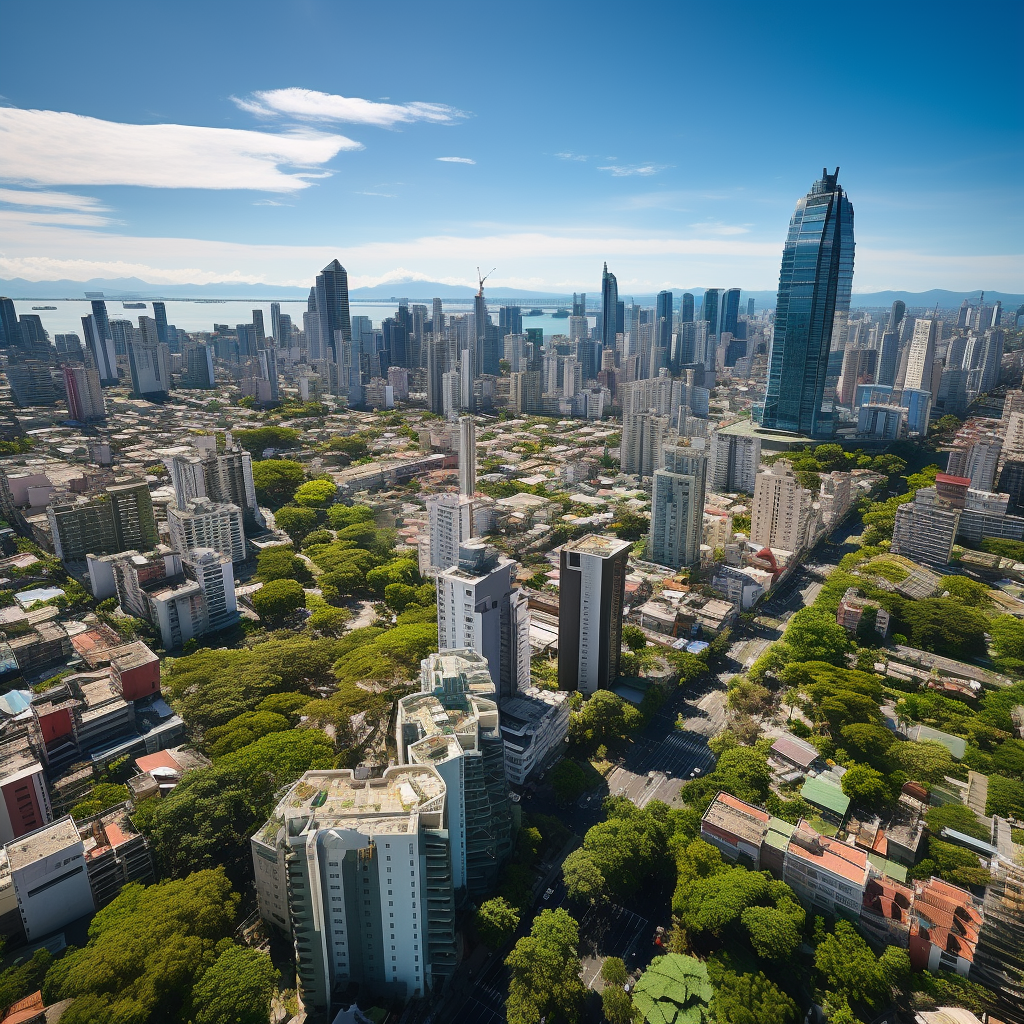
column 544, row 972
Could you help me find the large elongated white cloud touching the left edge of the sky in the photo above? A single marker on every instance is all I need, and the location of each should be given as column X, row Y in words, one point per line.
column 57, row 148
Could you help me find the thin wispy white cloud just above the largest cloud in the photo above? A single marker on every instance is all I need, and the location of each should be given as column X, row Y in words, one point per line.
column 308, row 105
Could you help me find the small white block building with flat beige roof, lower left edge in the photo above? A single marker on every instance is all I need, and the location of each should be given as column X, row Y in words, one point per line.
column 50, row 876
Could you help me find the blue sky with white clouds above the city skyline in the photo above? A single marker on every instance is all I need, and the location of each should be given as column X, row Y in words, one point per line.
column 195, row 143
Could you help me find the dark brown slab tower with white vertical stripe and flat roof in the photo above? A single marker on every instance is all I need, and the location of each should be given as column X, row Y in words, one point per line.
column 592, row 591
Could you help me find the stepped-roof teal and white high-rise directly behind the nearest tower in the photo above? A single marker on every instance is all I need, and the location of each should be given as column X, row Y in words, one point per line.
column 453, row 727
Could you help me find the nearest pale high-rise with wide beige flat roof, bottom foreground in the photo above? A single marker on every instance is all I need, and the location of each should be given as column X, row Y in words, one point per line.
column 324, row 857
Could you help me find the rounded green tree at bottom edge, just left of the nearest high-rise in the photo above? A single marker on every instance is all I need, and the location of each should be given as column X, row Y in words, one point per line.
column 237, row 989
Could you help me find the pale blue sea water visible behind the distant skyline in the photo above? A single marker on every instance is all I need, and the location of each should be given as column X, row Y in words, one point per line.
column 193, row 316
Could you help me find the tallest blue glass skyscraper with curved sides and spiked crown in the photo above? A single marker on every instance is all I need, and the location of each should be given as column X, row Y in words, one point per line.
column 815, row 286
